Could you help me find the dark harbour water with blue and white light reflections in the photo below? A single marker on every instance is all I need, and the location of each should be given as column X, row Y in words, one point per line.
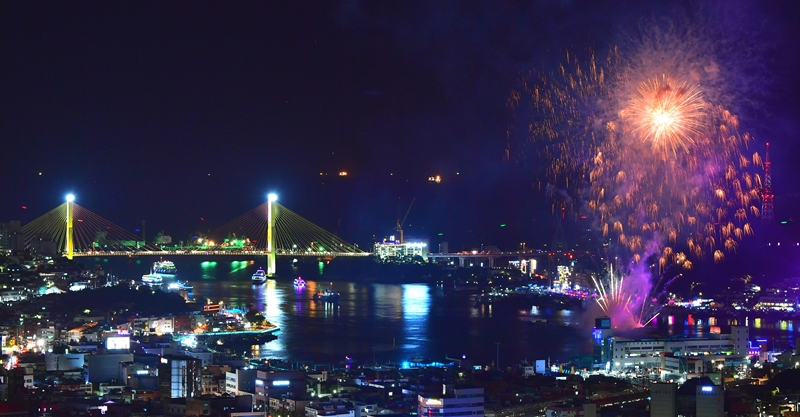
column 397, row 322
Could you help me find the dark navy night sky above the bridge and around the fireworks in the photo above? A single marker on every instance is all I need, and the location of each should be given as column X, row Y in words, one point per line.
column 176, row 111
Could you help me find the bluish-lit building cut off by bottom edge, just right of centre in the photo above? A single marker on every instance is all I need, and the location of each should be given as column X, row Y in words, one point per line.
column 452, row 401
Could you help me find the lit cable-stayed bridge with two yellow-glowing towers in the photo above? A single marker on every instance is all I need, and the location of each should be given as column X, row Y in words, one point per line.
column 268, row 230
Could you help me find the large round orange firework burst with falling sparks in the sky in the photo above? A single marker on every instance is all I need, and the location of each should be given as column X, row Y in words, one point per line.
column 631, row 142
